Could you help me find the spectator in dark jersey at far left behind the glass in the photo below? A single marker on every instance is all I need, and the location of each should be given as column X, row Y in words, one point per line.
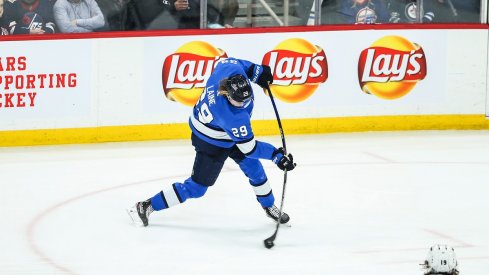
column 29, row 16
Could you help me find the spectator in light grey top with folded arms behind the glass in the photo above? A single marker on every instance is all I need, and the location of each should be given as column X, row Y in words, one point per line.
column 78, row 16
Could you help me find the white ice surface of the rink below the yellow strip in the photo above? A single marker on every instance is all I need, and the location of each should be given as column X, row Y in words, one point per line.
column 362, row 203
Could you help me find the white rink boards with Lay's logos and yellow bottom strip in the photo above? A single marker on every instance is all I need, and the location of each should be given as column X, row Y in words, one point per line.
column 326, row 80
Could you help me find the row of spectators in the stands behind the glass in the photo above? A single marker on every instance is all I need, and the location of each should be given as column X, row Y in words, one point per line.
column 74, row 16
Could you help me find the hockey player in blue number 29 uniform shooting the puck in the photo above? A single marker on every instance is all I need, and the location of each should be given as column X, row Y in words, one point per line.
column 220, row 124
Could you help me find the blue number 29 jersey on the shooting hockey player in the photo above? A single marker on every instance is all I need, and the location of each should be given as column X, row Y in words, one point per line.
column 215, row 120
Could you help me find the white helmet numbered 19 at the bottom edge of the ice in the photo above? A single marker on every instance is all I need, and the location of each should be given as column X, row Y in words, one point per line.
column 441, row 260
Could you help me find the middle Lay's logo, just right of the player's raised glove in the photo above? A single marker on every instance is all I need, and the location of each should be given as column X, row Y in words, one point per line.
column 298, row 67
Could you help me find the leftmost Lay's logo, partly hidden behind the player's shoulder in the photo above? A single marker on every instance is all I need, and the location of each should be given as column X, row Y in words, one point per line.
column 184, row 73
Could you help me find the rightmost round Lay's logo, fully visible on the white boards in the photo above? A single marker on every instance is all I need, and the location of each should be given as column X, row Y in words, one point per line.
column 391, row 67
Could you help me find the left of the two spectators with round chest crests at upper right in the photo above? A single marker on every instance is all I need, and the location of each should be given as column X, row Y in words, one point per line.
column 354, row 12
